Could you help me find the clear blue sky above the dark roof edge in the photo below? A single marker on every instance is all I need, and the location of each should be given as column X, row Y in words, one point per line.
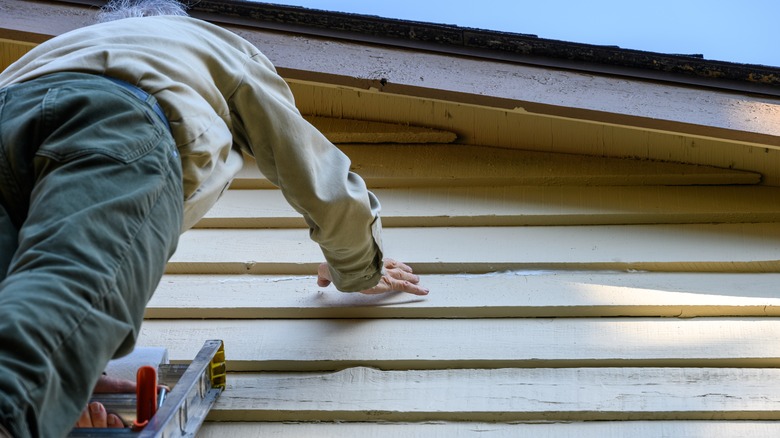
column 725, row 30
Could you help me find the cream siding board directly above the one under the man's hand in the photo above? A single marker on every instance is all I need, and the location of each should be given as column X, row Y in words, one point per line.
column 705, row 247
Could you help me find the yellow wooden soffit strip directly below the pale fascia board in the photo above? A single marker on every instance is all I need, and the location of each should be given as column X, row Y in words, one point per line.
column 495, row 127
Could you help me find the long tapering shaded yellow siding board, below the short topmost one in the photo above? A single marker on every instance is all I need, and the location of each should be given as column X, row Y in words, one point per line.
column 466, row 165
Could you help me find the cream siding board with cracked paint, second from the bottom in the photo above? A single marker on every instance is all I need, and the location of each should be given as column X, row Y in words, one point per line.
column 505, row 395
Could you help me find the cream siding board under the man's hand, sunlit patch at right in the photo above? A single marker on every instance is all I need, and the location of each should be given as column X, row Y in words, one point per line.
column 498, row 295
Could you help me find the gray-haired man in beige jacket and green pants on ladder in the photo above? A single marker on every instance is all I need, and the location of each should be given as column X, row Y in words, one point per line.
column 114, row 139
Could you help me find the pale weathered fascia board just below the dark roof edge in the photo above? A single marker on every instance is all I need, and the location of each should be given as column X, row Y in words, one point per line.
column 535, row 90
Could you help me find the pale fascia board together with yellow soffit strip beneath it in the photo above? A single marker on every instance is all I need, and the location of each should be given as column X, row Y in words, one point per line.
column 492, row 102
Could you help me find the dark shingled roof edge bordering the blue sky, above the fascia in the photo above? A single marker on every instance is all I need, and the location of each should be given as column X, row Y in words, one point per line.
column 493, row 45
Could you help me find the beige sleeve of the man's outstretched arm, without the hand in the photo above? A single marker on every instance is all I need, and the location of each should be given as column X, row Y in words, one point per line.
column 313, row 175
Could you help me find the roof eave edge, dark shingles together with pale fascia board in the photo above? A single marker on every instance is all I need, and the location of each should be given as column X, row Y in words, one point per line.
column 509, row 72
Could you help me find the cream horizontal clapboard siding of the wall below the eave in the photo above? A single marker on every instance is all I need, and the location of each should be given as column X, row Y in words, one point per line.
column 651, row 306
